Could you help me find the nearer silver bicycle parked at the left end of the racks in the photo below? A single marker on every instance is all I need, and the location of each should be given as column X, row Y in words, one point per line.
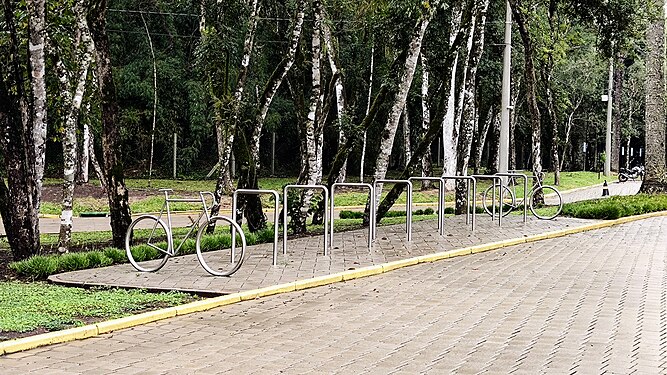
column 150, row 253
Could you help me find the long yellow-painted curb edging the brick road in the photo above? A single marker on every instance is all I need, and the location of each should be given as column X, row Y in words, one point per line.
column 79, row 333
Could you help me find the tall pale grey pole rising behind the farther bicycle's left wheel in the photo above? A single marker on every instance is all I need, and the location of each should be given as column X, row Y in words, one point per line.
column 504, row 142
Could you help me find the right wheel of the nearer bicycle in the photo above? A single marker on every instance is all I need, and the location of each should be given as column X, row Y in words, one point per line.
column 211, row 254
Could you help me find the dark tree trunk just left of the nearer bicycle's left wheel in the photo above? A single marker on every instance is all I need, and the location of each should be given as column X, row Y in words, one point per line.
column 117, row 193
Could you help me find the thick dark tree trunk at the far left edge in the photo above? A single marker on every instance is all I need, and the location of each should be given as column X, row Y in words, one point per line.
column 19, row 199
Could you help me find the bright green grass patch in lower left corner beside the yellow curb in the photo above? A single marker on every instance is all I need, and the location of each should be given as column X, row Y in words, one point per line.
column 29, row 306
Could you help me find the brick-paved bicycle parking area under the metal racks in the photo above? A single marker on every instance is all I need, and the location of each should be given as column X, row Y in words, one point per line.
column 305, row 257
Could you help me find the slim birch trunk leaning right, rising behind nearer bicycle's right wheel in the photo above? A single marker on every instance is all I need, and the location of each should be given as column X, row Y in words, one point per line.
column 225, row 124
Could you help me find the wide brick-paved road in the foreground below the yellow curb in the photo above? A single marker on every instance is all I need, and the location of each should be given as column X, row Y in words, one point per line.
column 590, row 303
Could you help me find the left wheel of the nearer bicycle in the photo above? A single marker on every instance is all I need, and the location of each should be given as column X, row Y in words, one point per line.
column 151, row 255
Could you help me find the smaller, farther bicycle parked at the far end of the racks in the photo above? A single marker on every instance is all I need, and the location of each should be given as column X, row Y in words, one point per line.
column 547, row 191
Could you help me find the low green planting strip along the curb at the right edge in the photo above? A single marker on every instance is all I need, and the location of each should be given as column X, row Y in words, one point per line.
column 616, row 207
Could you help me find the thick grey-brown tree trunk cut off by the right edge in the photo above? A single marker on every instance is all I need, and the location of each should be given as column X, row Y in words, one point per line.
column 655, row 179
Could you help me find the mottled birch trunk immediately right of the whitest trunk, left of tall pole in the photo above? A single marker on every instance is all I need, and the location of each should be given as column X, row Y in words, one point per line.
column 469, row 112
